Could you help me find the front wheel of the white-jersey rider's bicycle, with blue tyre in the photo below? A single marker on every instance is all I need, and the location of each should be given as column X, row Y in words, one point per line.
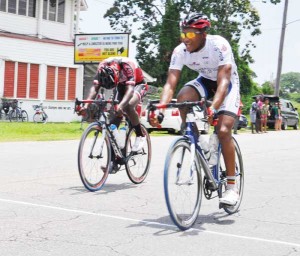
column 182, row 183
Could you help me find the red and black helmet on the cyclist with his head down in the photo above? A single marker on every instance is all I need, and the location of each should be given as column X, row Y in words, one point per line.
column 108, row 75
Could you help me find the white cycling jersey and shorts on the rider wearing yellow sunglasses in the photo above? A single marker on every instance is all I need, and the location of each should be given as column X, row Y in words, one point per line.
column 216, row 52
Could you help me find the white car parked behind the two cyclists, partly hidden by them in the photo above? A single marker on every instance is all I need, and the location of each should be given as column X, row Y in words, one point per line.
column 172, row 120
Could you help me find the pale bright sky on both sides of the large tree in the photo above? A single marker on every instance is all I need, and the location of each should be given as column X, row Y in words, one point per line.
column 266, row 52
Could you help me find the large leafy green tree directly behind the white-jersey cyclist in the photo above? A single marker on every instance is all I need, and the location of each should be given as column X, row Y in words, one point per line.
column 158, row 22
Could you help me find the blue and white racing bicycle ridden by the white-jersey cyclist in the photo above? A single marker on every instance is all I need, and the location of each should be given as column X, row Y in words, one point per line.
column 185, row 164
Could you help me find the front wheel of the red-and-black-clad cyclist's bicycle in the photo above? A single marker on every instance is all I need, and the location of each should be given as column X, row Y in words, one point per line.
column 94, row 157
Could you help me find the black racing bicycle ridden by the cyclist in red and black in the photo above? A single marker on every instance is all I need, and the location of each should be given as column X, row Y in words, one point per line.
column 100, row 155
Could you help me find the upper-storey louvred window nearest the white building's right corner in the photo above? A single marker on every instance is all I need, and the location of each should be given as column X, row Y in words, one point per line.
column 54, row 10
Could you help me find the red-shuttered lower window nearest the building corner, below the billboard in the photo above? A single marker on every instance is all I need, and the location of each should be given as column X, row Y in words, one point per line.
column 61, row 83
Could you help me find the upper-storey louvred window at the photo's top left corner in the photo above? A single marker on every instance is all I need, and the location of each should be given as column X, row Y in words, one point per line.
column 19, row 7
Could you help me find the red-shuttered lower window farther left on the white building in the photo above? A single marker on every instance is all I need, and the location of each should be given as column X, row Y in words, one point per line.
column 21, row 80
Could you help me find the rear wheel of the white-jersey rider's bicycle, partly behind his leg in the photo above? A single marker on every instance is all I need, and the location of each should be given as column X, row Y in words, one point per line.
column 239, row 173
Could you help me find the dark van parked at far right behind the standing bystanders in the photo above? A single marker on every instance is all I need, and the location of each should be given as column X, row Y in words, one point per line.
column 290, row 116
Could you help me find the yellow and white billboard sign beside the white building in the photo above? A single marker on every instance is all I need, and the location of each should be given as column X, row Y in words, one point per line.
column 94, row 48
